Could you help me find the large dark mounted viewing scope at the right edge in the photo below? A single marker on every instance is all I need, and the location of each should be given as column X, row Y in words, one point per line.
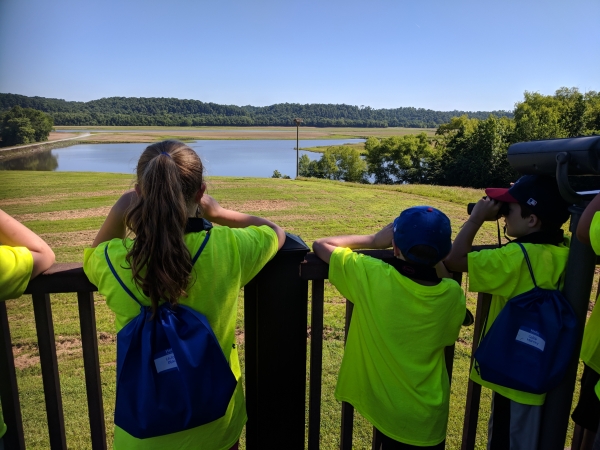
column 560, row 157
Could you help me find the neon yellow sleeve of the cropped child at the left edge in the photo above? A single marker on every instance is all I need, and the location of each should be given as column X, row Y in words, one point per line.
column 16, row 265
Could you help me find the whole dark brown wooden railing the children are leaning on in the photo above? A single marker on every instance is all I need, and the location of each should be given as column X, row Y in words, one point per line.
column 275, row 311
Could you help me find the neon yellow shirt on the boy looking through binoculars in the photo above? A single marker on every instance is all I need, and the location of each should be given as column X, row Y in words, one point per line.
column 503, row 273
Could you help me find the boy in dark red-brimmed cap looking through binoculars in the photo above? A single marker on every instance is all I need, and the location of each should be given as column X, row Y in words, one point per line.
column 536, row 212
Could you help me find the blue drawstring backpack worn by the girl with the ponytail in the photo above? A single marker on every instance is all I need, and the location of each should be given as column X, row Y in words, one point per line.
column 171, row 372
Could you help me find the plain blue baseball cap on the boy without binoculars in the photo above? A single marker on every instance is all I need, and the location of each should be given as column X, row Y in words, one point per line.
column 423, row 225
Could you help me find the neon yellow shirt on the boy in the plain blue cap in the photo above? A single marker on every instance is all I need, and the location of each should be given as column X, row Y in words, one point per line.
column 393, row 370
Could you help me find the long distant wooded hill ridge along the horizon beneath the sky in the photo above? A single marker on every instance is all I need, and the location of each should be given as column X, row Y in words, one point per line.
column 132, row 111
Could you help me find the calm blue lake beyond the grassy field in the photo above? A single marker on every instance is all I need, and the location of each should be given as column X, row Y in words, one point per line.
column 243, row 158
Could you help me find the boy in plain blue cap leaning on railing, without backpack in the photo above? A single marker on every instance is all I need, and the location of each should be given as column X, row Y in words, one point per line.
column 393, row 371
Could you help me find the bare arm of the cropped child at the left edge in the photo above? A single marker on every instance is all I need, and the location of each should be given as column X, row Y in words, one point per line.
column 15, row 234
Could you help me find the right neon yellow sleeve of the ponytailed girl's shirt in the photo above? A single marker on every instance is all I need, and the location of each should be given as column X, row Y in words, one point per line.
column 256, row 246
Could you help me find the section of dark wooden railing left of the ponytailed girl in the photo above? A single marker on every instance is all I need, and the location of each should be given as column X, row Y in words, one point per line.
column 58, row 279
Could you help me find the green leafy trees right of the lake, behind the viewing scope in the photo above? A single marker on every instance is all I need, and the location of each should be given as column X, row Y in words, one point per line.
column 466, row 151
